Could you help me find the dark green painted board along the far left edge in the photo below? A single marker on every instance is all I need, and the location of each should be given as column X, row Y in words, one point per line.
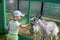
column 1, row 16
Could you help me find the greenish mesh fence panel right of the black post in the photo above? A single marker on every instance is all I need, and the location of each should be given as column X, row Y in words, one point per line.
column 51, row 10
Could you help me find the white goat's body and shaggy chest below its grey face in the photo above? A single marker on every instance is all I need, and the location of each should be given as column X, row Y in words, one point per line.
column 48, row 28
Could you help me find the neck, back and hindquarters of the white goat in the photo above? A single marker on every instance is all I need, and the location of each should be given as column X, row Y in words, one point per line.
column 49, row 28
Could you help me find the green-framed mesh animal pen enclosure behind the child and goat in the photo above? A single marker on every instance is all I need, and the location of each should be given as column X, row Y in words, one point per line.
column 48, row 9
